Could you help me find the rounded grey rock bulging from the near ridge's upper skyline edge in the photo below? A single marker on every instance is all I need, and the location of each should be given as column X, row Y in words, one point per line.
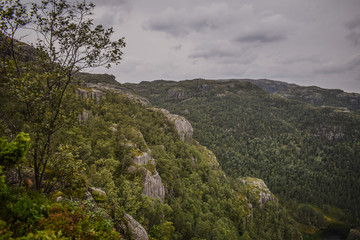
column 182, row 126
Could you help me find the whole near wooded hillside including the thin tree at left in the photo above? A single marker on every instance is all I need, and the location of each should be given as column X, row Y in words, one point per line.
column 85, row 161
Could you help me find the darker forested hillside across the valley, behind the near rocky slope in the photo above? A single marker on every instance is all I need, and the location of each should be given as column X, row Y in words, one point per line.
column 305, row 154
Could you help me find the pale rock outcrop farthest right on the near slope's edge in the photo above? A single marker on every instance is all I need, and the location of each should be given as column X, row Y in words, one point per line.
column 259, row 188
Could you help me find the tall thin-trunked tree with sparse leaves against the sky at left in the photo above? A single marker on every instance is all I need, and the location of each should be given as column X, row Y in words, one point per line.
column 67, row 42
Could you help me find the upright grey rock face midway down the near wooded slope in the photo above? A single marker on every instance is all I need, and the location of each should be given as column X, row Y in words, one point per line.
column 153, row 186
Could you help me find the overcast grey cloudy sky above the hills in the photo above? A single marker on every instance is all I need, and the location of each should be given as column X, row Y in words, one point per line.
column 305, row 42
